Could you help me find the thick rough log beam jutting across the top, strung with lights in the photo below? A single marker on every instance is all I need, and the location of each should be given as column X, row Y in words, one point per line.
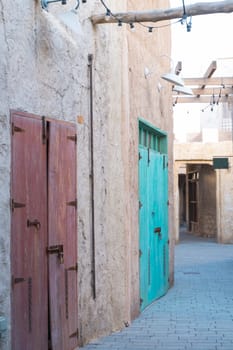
column 197, row 9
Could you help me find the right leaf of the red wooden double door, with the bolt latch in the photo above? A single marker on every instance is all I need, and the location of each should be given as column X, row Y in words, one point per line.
column 62, row 234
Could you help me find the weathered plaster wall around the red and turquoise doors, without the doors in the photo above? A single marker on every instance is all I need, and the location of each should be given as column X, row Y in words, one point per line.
column 44, row 70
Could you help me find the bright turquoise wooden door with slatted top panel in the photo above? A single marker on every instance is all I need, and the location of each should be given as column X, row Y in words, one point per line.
column 153, row 216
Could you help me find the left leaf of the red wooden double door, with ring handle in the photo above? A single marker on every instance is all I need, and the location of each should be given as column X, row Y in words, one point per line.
column 29, row 235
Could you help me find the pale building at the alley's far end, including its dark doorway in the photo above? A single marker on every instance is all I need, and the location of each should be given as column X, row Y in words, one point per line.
column 203, row 174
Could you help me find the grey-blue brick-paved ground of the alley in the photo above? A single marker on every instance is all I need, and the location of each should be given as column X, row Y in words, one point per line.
column 196, row 314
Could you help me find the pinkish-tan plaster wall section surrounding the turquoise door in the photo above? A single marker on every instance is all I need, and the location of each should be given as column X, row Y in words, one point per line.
column 150, row 99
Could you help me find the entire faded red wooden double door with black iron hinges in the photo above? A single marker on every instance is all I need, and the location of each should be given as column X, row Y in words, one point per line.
column 44, row 235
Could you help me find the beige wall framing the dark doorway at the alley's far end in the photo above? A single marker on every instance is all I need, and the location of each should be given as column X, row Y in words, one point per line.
column 199, row 153
